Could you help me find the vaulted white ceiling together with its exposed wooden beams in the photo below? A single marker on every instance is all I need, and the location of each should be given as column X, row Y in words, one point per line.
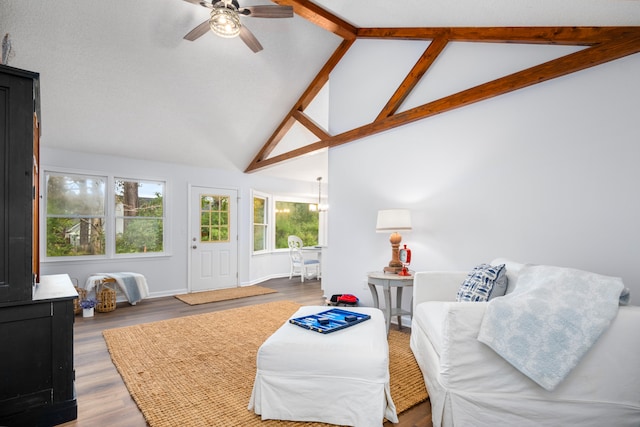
column 118, row 79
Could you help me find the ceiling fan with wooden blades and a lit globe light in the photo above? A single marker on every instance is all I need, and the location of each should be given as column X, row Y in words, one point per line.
column 225, row 20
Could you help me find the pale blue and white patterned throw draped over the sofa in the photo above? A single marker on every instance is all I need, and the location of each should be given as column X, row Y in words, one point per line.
column 552, row 318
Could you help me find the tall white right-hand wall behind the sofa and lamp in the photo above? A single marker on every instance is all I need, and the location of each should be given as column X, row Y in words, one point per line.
column 548, row 174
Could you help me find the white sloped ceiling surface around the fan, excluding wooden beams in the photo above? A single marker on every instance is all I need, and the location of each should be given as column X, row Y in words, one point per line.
column 117, row 78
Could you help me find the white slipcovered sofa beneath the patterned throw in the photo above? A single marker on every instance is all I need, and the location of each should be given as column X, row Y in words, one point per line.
column 471, row 385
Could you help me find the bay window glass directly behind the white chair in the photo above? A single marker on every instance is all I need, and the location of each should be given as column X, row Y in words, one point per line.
column 296, row 218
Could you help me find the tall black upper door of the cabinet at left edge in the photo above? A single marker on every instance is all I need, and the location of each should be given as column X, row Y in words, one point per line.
column 16, row 184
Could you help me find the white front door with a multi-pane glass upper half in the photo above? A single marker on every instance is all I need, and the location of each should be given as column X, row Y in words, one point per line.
column 213, row 240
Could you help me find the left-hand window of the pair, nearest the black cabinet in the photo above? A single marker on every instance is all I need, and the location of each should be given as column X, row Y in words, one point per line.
column 75, row 215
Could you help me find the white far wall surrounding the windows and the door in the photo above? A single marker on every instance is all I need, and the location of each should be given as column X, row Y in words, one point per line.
column 168, row 275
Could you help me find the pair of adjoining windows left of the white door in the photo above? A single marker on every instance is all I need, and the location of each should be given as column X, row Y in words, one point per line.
column 79, row 222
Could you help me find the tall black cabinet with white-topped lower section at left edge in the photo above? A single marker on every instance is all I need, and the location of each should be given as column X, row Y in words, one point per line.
column 36, row 322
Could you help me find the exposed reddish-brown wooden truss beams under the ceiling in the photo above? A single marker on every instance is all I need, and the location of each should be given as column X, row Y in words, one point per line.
column 603, row 44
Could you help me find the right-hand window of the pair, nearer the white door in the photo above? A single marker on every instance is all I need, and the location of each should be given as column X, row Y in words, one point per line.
column 139, row 216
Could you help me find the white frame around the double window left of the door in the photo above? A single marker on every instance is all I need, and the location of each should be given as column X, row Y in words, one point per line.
column 109, row 219
